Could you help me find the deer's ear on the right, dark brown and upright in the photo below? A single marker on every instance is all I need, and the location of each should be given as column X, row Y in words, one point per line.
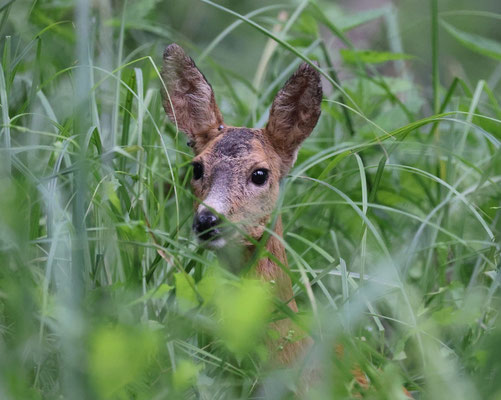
column 294, row 113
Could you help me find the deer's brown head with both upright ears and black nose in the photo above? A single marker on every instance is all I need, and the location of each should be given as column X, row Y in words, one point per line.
column 237, row 171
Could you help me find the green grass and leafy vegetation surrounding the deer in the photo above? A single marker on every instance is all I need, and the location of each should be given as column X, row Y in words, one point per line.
column 392, row 212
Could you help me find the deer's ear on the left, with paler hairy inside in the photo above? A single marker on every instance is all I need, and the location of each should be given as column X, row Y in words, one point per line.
column 189, row 100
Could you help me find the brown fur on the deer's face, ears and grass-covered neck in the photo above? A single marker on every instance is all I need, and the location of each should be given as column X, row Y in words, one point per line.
column 229, row 155
